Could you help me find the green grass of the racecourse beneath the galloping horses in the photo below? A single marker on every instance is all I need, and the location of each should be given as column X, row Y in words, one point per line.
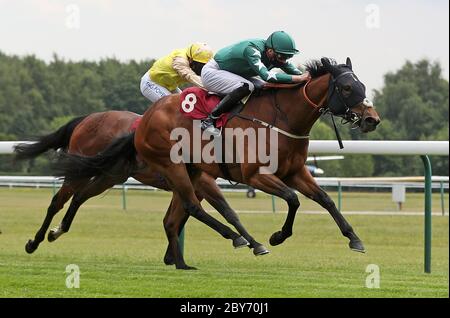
column 120, row 253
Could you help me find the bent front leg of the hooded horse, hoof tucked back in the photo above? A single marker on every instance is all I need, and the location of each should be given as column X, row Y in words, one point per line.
column 271, row 184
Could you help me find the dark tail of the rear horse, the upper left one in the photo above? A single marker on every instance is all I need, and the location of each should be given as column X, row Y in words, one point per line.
column 58, row 139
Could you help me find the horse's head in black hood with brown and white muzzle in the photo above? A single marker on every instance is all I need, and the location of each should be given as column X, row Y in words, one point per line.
column 347, row 97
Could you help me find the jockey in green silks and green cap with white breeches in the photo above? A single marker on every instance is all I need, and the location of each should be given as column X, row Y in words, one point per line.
column 232, row 70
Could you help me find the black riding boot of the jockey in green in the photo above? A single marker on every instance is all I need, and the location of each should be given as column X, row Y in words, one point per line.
column 225, row 105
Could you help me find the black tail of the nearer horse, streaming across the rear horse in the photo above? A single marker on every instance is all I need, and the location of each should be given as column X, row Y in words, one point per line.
column 118, row 159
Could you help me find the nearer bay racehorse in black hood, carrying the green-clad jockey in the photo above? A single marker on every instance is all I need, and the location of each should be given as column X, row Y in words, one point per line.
column 292, row 113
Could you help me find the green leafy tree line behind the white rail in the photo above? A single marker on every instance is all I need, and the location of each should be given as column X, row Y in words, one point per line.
column 38, row 97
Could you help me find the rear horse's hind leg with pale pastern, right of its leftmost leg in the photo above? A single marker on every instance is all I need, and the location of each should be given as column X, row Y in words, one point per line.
column 92, row 189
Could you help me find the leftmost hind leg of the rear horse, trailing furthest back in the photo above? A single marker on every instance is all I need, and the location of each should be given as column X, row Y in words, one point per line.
column 58, row 201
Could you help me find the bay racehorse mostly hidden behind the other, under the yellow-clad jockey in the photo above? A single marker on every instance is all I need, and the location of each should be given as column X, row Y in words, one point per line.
column 89, row 135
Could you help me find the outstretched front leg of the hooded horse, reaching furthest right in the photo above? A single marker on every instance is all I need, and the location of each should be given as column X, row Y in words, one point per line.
column 305, row 184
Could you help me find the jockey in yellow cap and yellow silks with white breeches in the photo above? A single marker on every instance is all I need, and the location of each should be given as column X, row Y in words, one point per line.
column 182, row 66
